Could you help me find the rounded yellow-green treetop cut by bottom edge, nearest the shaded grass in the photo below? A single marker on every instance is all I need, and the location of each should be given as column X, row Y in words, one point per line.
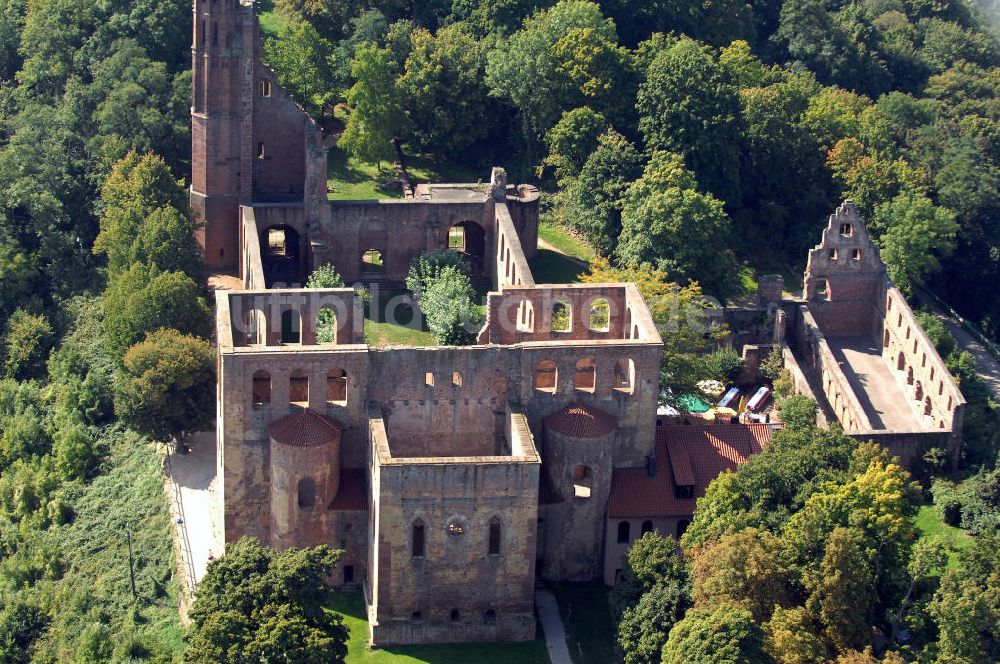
column 723, row 635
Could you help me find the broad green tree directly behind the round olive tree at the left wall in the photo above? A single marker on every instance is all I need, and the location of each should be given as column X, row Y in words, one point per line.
column 143, row 300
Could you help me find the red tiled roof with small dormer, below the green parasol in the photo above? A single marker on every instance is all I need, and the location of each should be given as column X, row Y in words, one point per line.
column 684, row 453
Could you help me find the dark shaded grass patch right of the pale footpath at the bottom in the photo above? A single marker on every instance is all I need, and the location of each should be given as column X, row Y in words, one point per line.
column 590, row 632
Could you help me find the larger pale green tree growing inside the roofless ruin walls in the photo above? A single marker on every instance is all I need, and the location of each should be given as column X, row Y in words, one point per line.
column 449, row 305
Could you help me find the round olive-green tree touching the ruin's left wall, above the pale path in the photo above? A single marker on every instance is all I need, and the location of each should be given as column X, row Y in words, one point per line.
column 167, row 385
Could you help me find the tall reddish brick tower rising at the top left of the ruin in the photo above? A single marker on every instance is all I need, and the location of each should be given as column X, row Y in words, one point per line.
column 216, row 119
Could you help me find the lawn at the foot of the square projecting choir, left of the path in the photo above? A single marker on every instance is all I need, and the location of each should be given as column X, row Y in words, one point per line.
column 351, row 607
